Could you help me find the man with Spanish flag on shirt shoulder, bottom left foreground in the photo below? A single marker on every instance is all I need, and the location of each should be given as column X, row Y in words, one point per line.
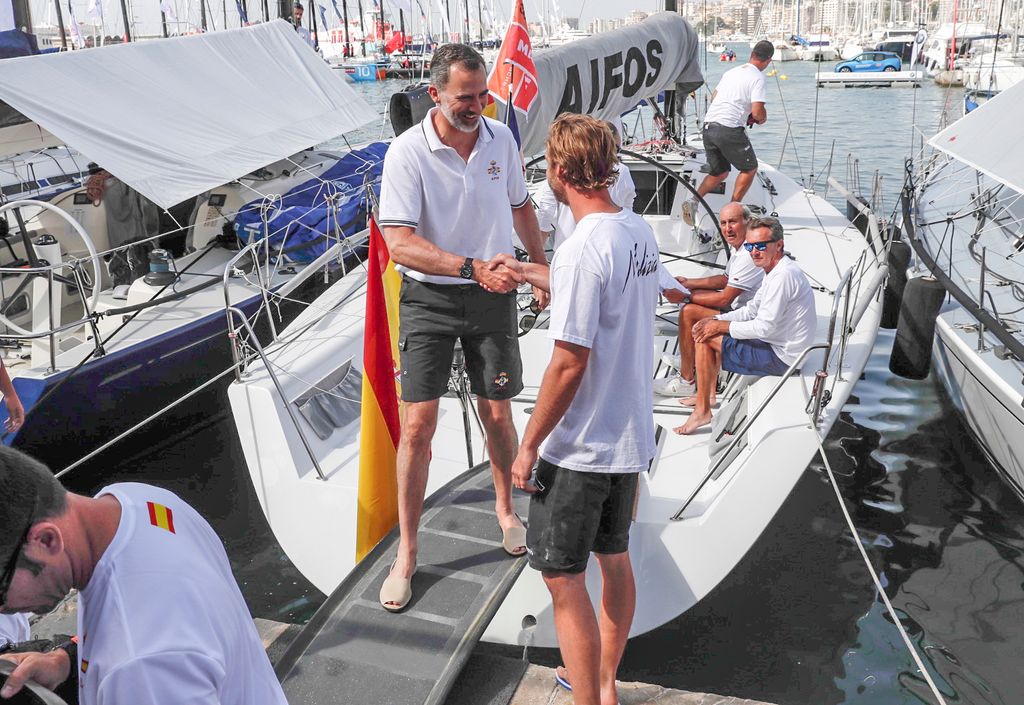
column 160, row 616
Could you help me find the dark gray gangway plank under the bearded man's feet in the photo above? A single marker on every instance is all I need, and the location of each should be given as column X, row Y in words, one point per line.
column 353, row 651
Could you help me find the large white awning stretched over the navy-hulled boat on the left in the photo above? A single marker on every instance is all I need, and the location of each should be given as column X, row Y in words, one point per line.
column 174, row 118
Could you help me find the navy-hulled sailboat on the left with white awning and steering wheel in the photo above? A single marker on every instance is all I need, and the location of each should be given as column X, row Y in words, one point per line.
column 95, row 350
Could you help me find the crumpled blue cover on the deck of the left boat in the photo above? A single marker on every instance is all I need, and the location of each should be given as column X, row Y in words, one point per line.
column 304, row 216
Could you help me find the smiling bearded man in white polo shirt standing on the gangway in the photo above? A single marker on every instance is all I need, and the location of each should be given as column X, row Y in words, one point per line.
column 452, row 193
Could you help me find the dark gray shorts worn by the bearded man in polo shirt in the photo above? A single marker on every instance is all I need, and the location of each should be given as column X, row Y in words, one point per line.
column 433, row 317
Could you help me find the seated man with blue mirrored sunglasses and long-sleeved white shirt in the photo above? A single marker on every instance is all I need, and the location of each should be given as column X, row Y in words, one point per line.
column 765, row 337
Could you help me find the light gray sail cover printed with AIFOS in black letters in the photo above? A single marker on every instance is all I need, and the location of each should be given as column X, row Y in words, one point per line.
column 610, row 74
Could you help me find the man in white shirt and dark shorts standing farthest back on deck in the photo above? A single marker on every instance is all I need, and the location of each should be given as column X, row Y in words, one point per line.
column 739, row 102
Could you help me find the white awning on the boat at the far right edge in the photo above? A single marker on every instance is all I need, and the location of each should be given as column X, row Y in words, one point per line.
column 989, row 139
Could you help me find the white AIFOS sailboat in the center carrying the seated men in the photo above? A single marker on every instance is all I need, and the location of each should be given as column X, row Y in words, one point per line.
column 706, row 499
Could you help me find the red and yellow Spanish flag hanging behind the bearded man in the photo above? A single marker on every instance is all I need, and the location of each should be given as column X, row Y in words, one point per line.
column 379, row 430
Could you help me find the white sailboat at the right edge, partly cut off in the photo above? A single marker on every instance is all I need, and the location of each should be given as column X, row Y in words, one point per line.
column 963, row 218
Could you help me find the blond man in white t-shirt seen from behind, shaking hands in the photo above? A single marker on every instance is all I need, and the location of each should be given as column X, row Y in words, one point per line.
column 593, row 410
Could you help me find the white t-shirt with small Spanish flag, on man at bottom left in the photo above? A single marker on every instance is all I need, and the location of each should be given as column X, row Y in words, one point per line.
column 162, row 620
